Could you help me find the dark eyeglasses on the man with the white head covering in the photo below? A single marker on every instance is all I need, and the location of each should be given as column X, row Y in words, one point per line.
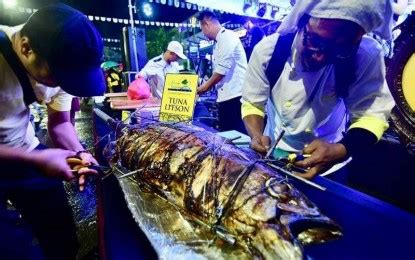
column 314, row 43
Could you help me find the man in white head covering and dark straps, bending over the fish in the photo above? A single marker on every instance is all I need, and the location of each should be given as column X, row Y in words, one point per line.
column 329, row 95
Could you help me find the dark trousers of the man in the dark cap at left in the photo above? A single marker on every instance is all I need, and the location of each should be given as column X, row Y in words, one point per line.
column 43, row 204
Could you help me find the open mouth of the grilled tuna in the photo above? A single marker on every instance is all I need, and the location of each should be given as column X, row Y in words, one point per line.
column 309, row 230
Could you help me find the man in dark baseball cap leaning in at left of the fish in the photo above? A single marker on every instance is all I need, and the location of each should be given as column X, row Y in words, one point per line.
column 57, row 46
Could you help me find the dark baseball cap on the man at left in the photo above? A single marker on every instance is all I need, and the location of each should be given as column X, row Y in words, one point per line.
column 72, row 47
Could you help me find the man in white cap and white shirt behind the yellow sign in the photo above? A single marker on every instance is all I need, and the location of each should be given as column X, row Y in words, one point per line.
column 154, row 72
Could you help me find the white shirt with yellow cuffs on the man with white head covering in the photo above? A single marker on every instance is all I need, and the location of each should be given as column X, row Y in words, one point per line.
column 305, row 119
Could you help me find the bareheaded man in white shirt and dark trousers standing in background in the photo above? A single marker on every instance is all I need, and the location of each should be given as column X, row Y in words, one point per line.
column 229, row 66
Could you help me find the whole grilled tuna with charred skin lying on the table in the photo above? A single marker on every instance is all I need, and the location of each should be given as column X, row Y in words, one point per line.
column 199, row 172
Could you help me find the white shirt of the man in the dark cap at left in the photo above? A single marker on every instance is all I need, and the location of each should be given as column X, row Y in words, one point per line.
column 15, row 127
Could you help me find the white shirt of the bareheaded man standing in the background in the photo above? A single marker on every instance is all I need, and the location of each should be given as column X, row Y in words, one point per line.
column 229, row 59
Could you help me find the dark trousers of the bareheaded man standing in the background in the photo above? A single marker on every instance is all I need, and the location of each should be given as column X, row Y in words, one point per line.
column 229, row 113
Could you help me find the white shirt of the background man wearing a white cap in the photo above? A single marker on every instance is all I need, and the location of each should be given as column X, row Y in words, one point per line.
column 155, row 72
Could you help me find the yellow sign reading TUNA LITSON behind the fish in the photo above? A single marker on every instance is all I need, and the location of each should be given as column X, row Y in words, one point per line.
column 179, row 97
